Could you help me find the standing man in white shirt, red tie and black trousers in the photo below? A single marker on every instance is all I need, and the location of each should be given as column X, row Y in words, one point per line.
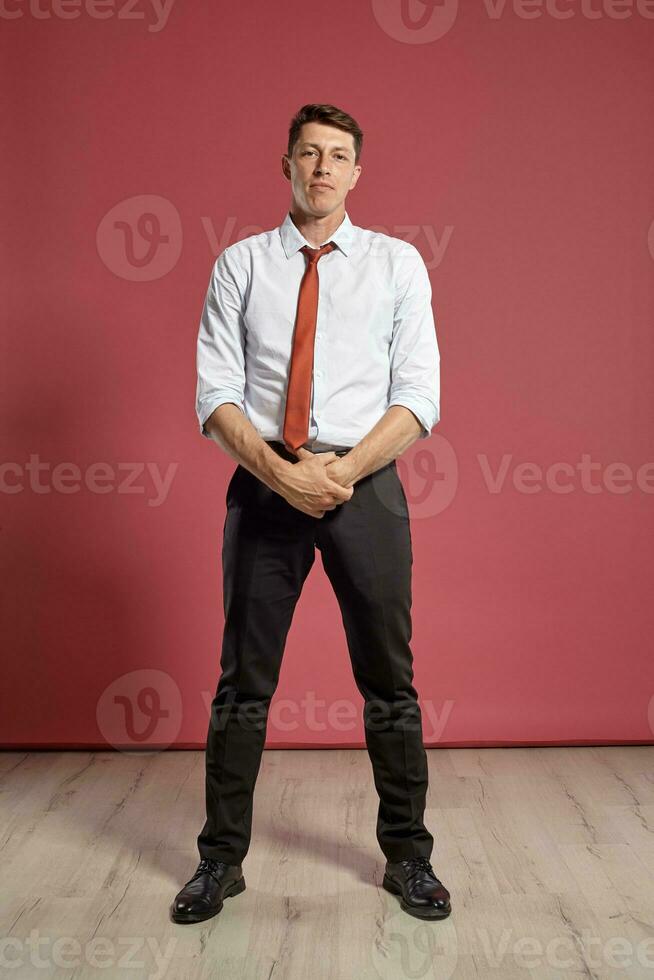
column 317, row 366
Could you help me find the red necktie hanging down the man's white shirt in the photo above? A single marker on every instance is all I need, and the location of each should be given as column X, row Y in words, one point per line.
column 298, row 397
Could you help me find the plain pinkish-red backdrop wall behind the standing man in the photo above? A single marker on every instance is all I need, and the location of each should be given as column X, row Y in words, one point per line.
column 515, row 151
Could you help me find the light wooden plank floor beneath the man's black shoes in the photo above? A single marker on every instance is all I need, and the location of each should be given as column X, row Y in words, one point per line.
column 548, row 854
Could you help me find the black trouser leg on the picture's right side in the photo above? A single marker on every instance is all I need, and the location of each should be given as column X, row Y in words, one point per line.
column 366, row 551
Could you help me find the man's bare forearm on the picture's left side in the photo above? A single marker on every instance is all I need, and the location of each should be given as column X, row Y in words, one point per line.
column 235, row 434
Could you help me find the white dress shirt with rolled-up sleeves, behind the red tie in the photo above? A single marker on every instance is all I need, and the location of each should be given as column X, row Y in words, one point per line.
column 375, row 343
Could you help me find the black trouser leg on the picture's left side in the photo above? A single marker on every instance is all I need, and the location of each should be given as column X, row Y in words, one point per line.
column 268, row 550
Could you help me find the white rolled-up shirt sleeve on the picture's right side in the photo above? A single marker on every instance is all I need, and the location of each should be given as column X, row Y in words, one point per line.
column 414, row 353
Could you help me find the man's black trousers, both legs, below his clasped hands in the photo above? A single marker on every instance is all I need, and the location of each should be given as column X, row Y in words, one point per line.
column 268, row 550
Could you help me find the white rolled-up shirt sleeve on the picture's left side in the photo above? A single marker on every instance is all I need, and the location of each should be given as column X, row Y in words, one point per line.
column 220, row 355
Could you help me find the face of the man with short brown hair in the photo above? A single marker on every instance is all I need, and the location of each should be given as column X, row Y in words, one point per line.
column 321, row 169
